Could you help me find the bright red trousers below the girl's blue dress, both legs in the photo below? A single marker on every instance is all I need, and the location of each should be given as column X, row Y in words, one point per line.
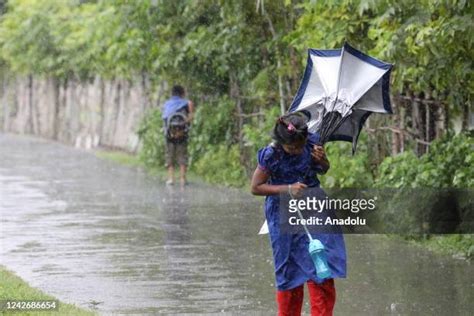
column 322, row 298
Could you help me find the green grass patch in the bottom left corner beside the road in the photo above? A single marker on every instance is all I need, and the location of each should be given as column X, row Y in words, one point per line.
column 14, row 288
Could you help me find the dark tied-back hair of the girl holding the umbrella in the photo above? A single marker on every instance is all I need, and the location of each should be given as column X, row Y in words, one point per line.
column 291, row 128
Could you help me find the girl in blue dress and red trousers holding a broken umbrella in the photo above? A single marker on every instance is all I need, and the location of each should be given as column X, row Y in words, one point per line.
column 289, row 165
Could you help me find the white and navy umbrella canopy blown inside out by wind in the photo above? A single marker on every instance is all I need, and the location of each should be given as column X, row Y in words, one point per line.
column 340, row 89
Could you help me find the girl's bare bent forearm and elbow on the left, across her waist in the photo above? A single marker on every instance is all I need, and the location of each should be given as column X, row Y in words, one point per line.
column 259, row 185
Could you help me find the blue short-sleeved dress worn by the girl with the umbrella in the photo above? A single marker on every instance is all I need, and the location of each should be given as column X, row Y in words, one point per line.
column 293, row 264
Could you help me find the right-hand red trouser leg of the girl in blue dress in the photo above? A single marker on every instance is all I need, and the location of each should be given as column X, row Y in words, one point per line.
column 322, row 297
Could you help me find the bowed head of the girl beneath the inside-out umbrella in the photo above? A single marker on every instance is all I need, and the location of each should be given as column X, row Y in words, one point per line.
column 291, row 132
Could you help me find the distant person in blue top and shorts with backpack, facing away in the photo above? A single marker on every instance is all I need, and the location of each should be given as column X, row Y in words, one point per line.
column 177, row 115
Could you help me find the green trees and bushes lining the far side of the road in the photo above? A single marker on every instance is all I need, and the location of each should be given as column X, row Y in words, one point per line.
column 242, row 61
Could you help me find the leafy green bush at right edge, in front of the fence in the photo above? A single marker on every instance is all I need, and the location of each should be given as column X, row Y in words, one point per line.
column 447, row 165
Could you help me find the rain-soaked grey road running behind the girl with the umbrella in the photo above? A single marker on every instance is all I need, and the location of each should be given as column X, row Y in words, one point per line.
column 88, row 231
